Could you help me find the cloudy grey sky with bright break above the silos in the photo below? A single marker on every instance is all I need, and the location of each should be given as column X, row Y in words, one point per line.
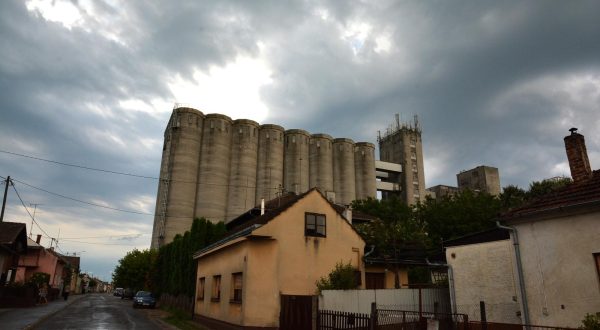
column 93, row 83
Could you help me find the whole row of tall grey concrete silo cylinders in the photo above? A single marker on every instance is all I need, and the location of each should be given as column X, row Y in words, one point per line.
column 224, row 167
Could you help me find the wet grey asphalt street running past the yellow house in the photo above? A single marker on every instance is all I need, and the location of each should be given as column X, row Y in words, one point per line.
column 101, row 311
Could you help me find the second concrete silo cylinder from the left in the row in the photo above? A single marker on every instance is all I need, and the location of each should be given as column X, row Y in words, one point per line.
column 213, row 175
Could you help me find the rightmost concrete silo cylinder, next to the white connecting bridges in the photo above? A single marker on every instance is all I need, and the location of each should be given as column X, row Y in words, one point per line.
column 364, row 170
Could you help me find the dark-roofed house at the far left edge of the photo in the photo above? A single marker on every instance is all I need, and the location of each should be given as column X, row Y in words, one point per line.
column 13, row 244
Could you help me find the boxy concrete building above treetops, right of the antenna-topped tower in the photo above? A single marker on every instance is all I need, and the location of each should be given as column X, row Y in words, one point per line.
column 481, row 178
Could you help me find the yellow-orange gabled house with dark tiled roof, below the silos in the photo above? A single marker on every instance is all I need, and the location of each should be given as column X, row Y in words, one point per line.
column 242, row 279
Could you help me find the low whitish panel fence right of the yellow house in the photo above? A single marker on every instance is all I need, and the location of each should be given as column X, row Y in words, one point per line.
column 359, row 301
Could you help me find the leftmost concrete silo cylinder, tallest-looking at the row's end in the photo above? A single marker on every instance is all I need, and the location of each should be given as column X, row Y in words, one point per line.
column 178, row 175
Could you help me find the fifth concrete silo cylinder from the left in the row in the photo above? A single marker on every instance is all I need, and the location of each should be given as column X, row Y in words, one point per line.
column 295, row 160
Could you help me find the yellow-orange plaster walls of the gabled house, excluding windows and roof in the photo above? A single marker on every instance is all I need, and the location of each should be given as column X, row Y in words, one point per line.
column 283, row 262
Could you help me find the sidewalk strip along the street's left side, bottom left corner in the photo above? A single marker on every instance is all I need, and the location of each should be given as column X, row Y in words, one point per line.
column 25, row 318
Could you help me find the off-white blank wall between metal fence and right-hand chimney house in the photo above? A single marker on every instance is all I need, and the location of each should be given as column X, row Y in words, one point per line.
column 485, row 272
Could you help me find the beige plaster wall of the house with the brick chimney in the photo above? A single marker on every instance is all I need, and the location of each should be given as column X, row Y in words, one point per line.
column 562, row 283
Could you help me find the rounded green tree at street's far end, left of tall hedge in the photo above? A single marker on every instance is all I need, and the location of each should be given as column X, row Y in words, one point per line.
column 134, row 270
